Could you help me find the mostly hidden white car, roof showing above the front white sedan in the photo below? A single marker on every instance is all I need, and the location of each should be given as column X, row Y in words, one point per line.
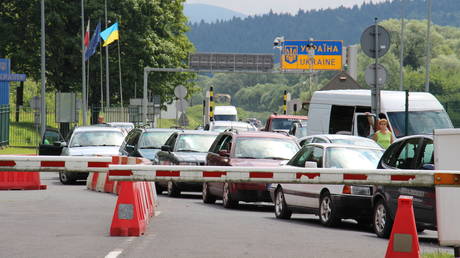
column 339, row 139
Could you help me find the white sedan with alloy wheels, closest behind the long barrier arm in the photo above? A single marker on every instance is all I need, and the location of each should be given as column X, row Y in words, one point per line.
column 330, row 202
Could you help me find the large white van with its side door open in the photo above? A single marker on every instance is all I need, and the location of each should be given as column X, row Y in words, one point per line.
column 343, row 111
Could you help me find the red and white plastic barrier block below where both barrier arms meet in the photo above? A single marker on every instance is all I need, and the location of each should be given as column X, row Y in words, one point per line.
column 133, row 210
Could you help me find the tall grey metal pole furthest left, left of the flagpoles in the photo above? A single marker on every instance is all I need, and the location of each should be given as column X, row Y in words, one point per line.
column 43, row 79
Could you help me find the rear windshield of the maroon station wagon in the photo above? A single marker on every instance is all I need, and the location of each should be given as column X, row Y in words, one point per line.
column 265, row 148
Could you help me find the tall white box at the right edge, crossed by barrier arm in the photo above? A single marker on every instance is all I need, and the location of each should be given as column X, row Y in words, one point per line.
column 446, row 142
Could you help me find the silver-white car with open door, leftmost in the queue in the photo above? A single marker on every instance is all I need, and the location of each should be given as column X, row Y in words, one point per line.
column 90, row 141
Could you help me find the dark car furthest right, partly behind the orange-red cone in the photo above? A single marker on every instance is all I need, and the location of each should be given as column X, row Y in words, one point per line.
column 411, row 152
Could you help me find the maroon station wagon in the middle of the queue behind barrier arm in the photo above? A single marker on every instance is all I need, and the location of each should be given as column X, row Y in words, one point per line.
column 258, row 149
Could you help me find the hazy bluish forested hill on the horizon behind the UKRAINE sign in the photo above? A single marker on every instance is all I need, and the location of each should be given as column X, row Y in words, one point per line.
column 255, row 34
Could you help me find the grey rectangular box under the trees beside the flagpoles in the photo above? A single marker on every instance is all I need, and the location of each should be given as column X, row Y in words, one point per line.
column 66, row 107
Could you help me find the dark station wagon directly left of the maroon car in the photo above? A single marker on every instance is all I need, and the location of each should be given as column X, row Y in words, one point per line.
column 188, row 147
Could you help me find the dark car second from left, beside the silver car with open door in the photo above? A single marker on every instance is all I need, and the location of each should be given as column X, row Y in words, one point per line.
column 145, row 142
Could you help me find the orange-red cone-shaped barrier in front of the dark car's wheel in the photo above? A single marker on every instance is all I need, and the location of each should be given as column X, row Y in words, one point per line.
column 404, row 238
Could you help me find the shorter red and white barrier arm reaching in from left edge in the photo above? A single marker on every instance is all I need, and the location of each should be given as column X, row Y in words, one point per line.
column 54, row 163
